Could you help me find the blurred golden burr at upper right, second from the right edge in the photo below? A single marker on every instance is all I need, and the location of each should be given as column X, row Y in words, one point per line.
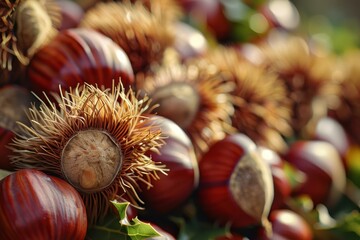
column 308, row 76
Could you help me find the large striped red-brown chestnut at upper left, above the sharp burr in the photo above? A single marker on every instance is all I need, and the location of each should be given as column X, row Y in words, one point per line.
column 76, row 56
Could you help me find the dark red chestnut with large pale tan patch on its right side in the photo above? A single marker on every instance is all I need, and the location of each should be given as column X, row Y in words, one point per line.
column 235, row 183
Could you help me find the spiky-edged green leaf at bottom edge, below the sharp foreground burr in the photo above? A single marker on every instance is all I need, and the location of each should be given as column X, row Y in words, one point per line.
column 122, row 229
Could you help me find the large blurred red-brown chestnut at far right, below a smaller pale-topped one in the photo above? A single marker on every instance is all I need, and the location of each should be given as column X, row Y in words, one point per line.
column 325, row 177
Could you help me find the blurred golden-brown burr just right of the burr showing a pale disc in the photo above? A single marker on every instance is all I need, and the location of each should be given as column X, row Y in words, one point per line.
column 262, row 110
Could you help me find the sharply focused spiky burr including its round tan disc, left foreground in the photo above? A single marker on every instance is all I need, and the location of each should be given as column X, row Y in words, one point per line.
column 104, row 131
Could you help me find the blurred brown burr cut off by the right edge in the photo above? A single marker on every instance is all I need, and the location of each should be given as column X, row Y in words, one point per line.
column 347, row 111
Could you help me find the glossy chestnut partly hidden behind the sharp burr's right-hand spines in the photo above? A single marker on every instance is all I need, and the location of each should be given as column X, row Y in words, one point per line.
column 170, row 191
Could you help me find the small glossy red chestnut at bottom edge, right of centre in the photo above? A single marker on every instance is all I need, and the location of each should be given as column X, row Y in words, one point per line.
column 287, row 224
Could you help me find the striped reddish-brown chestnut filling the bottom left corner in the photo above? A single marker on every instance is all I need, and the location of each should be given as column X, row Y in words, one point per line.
column 36, row 206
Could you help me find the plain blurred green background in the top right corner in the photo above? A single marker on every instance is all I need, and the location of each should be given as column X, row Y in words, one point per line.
column 335, row 22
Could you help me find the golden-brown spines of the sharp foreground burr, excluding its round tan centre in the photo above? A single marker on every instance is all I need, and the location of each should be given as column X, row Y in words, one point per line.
column 118, row 113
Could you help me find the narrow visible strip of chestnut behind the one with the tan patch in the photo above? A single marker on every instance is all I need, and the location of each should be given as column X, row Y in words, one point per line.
column 282, row 186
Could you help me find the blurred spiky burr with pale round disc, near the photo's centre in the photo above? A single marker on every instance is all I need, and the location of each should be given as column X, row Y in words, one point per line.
column 195, row 97
